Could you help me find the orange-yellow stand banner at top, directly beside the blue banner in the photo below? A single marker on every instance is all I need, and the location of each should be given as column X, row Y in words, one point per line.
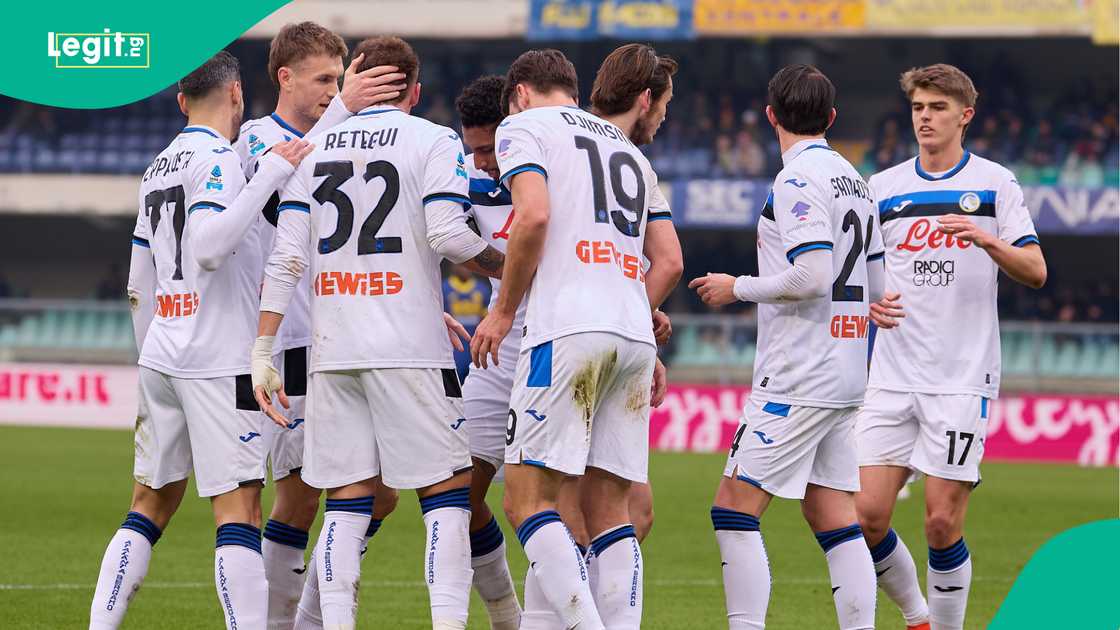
column 778, row 17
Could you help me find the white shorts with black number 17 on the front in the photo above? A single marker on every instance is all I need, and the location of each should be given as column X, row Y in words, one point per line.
column 938, row 434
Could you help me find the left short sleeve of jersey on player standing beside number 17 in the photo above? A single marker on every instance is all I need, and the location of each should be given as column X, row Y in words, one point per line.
column 801, row 214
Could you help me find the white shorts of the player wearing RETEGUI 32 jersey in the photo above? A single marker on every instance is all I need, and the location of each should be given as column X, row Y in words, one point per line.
column 404, row 424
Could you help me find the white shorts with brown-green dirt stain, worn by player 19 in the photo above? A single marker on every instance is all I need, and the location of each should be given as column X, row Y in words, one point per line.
column 583, row 401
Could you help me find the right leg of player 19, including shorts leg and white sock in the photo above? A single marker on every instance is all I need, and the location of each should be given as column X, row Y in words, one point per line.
column 619, row 458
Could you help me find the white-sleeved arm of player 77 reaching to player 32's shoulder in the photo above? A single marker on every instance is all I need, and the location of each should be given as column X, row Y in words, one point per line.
column 218, row 228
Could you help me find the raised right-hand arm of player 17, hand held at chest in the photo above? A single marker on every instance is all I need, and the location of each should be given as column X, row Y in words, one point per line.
column 1016, row 248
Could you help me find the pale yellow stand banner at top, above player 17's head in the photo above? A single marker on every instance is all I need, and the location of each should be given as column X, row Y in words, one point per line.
column 978, row 16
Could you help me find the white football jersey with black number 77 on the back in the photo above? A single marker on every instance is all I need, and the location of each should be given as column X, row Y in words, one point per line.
column 206, row 321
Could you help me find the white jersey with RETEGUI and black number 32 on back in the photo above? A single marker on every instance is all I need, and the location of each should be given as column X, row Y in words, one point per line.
column 377, row 191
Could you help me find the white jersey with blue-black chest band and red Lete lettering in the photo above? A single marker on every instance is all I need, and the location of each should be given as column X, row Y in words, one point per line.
column 949, row 342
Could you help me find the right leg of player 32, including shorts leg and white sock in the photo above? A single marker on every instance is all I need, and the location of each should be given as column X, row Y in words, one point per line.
column 423, row 446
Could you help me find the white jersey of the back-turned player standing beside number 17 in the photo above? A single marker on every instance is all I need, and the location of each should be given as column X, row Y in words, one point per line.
column 814, row 353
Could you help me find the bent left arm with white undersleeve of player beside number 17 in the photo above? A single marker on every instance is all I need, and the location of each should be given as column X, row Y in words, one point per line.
column 802, row 219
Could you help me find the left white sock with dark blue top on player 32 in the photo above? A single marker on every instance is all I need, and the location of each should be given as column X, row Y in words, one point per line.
column 339, row 560
